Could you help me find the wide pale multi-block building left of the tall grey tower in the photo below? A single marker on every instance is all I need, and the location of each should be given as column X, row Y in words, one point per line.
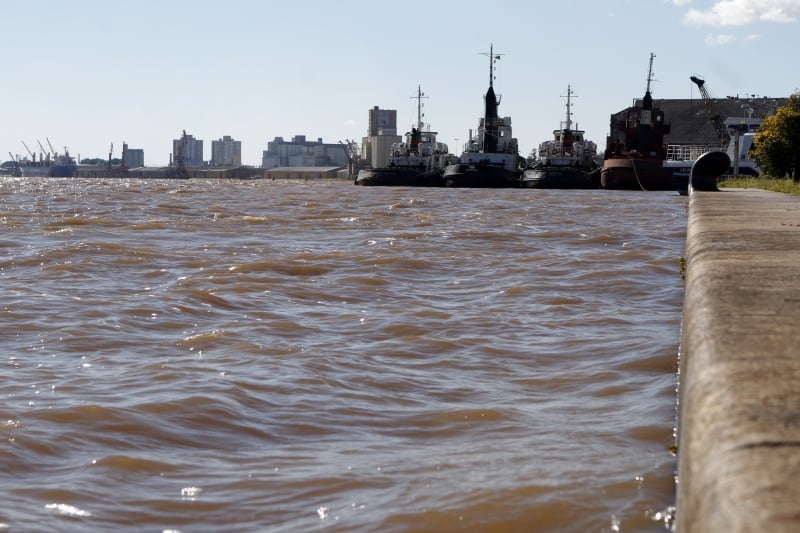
column 300, row 152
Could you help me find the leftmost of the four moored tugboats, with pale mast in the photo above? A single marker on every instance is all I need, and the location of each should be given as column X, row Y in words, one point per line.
column 416, row 162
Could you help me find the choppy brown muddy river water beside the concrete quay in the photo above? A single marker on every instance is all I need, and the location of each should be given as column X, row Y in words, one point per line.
column 243, row 356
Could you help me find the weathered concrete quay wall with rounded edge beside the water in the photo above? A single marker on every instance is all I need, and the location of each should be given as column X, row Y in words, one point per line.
column 739, row 411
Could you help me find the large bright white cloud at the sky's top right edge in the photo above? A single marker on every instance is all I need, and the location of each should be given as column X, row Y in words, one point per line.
column 742, row 12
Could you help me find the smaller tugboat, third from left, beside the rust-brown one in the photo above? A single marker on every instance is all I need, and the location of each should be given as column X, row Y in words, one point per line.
column 566, row 161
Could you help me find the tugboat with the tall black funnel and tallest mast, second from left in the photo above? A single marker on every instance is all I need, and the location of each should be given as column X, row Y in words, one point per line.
column 491, row 157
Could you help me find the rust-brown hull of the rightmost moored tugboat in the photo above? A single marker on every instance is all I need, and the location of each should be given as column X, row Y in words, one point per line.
column 637, row 174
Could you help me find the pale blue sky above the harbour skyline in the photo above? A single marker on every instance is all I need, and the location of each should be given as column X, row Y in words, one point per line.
column 85, row 74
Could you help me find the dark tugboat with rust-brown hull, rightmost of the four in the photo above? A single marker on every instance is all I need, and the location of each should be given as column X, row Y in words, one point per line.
column 635, row 151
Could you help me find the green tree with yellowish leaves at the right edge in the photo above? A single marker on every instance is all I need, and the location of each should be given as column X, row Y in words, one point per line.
column 777, row 143
